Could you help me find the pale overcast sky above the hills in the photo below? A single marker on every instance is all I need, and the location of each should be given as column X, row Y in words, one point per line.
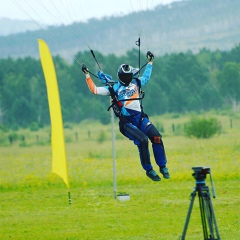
column 66, row 11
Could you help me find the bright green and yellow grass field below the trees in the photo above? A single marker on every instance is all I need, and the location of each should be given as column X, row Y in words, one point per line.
column 34, row 202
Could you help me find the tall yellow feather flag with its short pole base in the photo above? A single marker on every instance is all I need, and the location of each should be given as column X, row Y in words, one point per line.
column 59, row 164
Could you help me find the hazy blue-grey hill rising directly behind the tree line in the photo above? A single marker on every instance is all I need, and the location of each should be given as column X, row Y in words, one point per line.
column 179, row 27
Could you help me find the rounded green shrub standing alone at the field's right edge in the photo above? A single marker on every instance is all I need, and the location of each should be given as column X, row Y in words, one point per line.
column 202, row 127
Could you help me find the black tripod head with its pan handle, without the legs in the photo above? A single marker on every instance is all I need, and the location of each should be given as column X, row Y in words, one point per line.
column 200, row 174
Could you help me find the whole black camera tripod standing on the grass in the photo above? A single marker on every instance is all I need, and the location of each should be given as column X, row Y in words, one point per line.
column 209, row 223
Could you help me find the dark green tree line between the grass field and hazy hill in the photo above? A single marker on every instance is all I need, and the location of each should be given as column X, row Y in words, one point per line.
column 180, row 83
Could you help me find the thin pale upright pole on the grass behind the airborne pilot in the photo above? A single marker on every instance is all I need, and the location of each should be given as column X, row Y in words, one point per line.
column 113, row 155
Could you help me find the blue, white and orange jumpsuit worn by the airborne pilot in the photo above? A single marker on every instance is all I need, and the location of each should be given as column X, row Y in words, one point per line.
column 134, row 124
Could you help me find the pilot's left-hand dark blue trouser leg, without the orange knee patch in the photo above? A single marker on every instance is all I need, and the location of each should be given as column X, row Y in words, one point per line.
column 139, row 139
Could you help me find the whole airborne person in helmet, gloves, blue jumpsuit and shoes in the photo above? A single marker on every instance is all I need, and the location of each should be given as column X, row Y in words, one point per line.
column 133, row 123
